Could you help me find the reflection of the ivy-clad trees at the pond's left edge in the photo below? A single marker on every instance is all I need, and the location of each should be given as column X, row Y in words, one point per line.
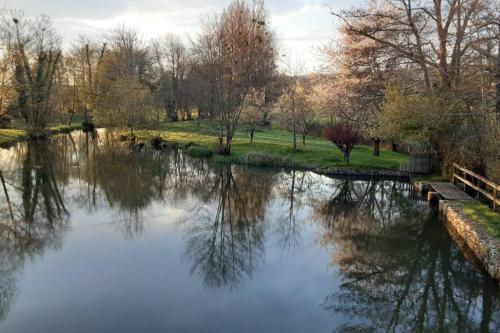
column 35, row 216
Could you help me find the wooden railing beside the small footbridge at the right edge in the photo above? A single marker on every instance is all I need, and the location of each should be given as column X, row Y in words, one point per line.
column 482, row 185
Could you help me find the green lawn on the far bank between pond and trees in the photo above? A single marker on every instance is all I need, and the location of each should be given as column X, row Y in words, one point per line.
column 276, row 144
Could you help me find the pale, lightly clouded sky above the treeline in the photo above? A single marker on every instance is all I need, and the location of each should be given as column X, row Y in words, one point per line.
column 302, row 26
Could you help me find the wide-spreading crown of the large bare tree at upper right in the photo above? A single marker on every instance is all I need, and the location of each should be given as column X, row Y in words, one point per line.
column 432, row 35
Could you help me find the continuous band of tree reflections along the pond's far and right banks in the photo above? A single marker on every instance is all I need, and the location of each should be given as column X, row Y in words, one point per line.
column 394, row 266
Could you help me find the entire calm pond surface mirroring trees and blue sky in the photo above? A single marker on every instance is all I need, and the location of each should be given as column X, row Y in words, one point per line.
column 98, row 237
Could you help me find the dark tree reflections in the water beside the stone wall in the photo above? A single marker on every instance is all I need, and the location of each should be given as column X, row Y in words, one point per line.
column 397, row 273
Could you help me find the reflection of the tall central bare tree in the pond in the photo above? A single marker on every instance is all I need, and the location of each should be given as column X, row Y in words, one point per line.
column 225, row 237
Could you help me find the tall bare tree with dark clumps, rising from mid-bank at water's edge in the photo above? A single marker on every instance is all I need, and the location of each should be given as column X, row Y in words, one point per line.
column 237, row 52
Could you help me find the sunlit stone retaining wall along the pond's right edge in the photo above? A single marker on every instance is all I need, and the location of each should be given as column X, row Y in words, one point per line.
column 485, row 247
